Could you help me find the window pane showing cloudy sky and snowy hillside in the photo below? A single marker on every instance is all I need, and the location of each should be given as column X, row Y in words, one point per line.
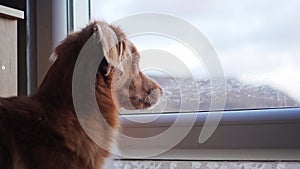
column 257, row 42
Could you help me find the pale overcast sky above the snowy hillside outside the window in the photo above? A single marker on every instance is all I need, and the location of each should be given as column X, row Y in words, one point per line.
column 257, row 41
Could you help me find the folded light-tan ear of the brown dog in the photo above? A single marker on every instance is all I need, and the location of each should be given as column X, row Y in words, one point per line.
column 113, row 47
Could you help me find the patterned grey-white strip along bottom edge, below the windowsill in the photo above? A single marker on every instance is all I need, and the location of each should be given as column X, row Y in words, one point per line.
column 201, row 165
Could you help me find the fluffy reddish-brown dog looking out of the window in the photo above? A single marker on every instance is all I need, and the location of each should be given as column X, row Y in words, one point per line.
column 43, row 132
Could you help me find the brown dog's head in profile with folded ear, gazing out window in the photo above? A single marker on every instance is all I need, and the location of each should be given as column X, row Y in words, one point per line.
column 120, row 70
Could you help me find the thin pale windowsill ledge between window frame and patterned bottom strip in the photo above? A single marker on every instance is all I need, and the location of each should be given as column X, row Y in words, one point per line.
column 223, row 155
